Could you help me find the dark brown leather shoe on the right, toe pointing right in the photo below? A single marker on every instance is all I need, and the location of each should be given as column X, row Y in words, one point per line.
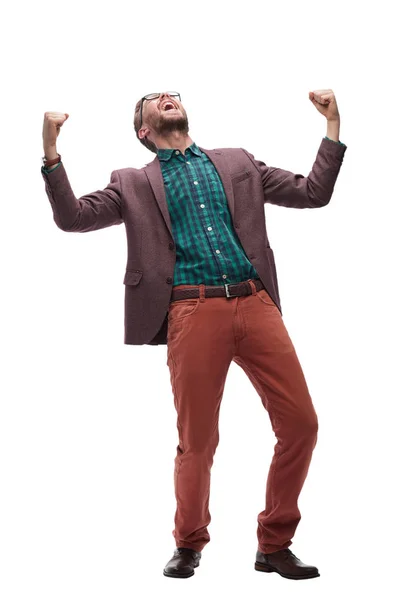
column 286, row 564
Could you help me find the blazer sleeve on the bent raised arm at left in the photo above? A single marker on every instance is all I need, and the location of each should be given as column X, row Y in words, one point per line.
column 96, row 210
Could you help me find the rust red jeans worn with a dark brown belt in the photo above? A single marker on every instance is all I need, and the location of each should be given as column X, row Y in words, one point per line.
column 204, row 336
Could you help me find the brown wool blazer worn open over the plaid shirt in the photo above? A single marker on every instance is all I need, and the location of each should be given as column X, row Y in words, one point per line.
column 136, row 197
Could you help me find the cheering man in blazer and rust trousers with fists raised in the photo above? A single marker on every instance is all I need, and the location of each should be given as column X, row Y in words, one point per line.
column 201, row 278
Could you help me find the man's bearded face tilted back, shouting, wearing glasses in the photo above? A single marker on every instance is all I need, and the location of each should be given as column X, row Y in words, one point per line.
column 164, row 114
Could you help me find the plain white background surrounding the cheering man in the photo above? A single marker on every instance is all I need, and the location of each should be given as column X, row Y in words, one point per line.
column 88, row 426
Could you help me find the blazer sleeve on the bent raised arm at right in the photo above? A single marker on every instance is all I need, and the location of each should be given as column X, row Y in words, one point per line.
column 293, row 190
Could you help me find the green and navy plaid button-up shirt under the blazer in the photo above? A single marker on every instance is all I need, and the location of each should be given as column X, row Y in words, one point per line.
column 207, row 248
